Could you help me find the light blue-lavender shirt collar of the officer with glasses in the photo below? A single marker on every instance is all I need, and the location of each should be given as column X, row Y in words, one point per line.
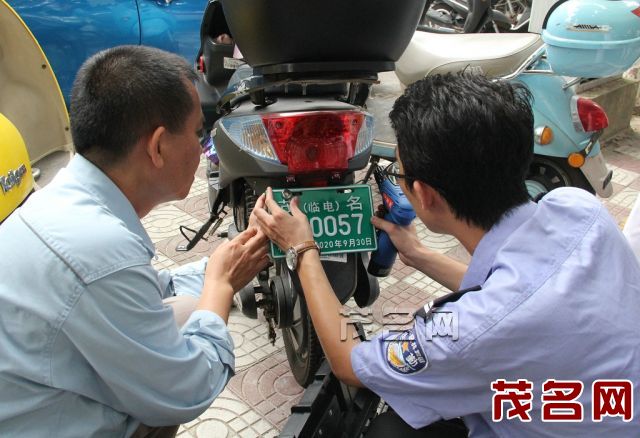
column 484, row 255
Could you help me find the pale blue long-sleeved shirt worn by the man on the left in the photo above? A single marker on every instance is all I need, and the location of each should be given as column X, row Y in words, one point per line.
column 87, row 346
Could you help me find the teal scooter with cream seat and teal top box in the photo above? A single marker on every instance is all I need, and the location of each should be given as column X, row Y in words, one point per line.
column 581, row 39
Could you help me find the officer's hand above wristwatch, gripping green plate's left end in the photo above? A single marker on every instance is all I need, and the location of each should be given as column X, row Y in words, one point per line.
column 283, row 228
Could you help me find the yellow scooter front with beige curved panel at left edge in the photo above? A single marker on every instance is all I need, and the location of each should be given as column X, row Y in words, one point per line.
column 33, row 118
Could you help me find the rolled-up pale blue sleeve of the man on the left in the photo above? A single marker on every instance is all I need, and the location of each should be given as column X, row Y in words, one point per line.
column 139, row 363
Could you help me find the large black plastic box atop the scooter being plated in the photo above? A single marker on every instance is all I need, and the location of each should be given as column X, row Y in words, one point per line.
column 312, row 32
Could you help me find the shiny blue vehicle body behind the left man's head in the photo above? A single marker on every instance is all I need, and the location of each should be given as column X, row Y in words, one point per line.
column 70, row 31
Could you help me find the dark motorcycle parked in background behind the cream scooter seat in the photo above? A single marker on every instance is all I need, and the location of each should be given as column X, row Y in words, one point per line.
column 462, row 16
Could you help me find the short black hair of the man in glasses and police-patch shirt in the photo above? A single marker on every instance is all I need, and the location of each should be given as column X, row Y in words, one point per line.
column 469, row 138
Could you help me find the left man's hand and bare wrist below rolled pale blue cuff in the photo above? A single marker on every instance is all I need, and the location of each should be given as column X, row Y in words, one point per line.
column 231, row 267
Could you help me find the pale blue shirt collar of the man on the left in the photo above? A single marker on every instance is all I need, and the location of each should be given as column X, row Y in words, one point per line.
column 105, row 190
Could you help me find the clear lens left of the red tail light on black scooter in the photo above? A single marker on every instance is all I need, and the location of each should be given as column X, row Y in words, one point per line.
column 249, row 133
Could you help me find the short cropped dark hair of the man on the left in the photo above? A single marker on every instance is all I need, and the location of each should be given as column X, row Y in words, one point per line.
column 124, row 93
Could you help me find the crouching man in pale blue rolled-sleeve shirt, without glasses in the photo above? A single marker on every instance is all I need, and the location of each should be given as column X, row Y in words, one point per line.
column 89, row 347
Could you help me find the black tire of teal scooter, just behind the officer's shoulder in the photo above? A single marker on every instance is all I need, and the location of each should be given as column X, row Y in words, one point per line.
column 548, row 173
